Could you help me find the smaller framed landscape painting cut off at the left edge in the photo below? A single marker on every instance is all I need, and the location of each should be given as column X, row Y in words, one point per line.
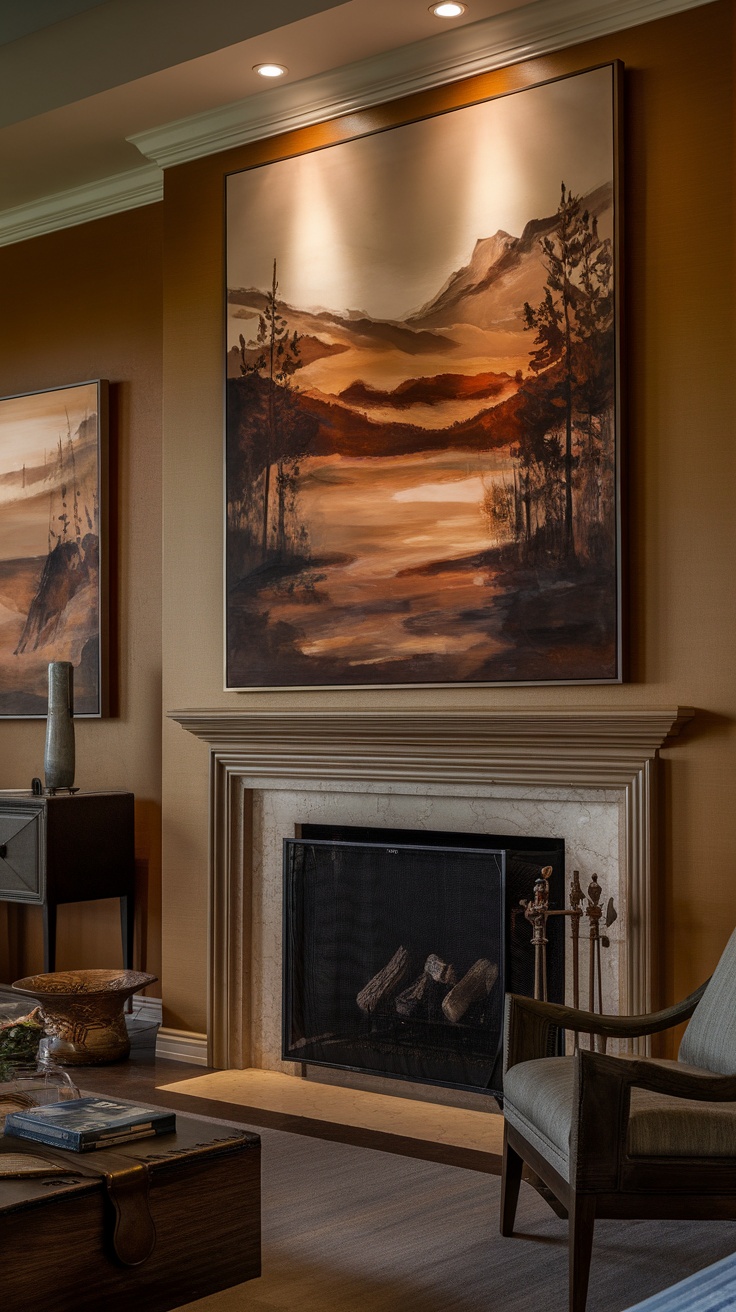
column 53, row 546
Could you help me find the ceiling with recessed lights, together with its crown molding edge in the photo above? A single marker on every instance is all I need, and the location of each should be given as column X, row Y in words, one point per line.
column 81, row 78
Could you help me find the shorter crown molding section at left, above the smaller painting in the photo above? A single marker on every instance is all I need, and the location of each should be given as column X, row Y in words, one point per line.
column 128, row 191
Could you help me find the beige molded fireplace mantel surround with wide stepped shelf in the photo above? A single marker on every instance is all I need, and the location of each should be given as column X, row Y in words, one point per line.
column 607, row 748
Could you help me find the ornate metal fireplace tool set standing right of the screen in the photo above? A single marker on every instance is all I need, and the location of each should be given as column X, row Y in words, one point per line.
column 537, row 911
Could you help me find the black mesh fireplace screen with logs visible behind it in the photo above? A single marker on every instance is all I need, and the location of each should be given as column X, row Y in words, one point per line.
column 398, row 954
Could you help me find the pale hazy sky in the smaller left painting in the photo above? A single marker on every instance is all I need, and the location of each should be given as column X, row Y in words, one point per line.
column 31, row 426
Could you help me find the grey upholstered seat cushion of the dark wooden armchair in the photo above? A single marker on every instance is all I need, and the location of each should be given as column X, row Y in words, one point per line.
column 539, row 1103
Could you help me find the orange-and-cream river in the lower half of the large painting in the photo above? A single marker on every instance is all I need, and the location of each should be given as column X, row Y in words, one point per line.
column 381, row 600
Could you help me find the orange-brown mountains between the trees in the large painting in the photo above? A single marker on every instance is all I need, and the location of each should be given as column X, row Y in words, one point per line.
column 473, row 327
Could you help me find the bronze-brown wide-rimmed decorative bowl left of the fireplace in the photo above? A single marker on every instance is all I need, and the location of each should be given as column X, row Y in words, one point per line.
column 83, row 1012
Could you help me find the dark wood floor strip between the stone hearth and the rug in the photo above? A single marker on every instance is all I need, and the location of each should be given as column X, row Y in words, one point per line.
column 141, row 1076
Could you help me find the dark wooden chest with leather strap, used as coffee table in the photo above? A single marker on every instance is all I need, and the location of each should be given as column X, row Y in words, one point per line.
column 203, row 1196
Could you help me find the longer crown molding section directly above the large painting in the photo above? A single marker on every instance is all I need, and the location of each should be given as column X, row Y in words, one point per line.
column 536, row 30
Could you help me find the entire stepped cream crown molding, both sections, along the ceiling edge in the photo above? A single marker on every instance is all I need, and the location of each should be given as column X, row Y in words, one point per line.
column 536, row 30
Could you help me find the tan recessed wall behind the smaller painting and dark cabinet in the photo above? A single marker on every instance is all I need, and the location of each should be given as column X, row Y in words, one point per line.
column 75, row 305
